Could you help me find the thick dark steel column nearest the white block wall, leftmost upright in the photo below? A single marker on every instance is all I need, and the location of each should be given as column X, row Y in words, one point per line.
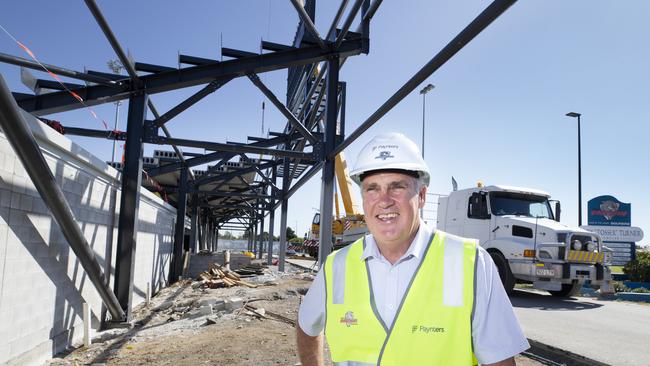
column 130, row 201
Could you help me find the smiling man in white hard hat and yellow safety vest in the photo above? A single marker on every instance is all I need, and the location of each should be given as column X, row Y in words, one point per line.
column 406, row 294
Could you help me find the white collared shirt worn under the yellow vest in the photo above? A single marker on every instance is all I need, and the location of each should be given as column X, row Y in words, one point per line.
column 496, row 333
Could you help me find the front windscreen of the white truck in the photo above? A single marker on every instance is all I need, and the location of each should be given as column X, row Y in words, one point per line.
column 504, row 203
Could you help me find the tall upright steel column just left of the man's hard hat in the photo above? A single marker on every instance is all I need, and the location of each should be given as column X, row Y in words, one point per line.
column 327, row 181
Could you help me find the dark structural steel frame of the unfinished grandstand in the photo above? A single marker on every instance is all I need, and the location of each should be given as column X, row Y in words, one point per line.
column 314, row 108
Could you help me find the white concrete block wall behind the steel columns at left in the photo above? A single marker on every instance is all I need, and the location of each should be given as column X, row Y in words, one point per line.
column 42, row 284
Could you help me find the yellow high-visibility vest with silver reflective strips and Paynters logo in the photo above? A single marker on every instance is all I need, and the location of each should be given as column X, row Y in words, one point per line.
column 432, row 326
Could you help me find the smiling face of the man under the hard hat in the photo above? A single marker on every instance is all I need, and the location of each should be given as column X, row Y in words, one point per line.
column 390, row 204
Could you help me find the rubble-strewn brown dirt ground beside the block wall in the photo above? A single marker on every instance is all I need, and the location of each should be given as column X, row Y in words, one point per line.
column 169, row 331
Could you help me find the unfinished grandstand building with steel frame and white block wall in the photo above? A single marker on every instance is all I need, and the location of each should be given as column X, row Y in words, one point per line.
column 72, row 221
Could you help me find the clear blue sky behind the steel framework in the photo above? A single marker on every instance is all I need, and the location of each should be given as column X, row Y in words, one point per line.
column 497, row 113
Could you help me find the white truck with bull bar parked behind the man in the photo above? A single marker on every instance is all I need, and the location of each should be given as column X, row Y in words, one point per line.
column 525, row 238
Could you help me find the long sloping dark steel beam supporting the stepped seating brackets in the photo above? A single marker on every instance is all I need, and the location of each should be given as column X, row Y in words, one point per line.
column 183, row 78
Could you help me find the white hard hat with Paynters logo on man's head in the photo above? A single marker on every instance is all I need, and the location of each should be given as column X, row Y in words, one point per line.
column 390, row 151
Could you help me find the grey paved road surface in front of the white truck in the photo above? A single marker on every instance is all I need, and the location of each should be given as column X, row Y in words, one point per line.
column 612, row 332
